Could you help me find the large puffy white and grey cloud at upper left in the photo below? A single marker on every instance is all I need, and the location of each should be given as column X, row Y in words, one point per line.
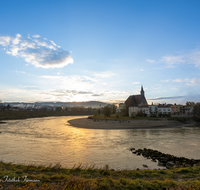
column 40, row 53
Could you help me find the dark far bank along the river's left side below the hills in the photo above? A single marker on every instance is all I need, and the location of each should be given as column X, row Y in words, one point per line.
column 6, row 115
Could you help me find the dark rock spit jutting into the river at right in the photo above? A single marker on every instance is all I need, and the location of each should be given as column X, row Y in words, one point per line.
column 166, row 160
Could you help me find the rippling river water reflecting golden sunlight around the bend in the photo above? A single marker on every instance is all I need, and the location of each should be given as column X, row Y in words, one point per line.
column 51, row 140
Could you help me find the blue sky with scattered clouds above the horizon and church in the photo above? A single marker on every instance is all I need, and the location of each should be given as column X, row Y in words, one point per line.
column 99, row 50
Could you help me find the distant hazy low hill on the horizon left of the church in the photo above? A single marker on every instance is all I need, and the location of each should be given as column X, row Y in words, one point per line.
column 93, row 104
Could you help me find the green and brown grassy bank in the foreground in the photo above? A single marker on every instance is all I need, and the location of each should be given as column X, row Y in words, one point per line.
column 78, row 177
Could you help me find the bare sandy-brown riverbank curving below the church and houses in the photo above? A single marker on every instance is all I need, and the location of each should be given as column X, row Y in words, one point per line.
column 126, row 124
